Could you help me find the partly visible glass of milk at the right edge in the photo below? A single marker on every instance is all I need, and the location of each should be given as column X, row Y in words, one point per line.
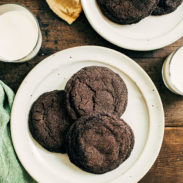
column 172, row 71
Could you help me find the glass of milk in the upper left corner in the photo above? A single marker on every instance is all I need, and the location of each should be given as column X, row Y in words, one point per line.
column 20, row 35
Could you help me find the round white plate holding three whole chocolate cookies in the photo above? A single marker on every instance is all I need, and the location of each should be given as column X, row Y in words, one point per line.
column 144, row 114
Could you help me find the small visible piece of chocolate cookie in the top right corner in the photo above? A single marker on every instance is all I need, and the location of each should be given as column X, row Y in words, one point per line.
column 166, row 6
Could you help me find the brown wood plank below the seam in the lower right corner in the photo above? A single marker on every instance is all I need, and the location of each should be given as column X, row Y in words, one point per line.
column 168, row 168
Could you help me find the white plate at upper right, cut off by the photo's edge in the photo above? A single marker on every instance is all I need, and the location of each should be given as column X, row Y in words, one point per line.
column 151, row 33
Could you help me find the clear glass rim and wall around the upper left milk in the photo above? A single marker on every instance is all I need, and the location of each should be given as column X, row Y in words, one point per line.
column 15, row 7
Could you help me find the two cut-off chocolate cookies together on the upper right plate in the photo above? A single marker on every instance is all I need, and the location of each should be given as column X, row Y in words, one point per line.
column 132, row 11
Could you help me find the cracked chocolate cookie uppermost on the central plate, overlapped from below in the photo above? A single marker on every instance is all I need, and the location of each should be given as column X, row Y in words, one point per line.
column 95, row 89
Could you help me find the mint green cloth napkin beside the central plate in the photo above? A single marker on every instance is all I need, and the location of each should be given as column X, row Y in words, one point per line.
column 11, row 170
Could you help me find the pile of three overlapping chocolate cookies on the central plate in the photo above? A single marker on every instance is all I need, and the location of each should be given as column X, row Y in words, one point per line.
column 84, row 120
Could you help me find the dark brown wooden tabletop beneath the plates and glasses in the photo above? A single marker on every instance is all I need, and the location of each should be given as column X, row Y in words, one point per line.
column 57, row 35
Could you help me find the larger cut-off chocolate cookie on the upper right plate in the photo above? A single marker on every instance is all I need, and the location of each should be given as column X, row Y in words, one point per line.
column 127, row 11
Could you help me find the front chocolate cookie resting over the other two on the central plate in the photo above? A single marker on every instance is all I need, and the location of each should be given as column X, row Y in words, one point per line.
column 99, row 143
